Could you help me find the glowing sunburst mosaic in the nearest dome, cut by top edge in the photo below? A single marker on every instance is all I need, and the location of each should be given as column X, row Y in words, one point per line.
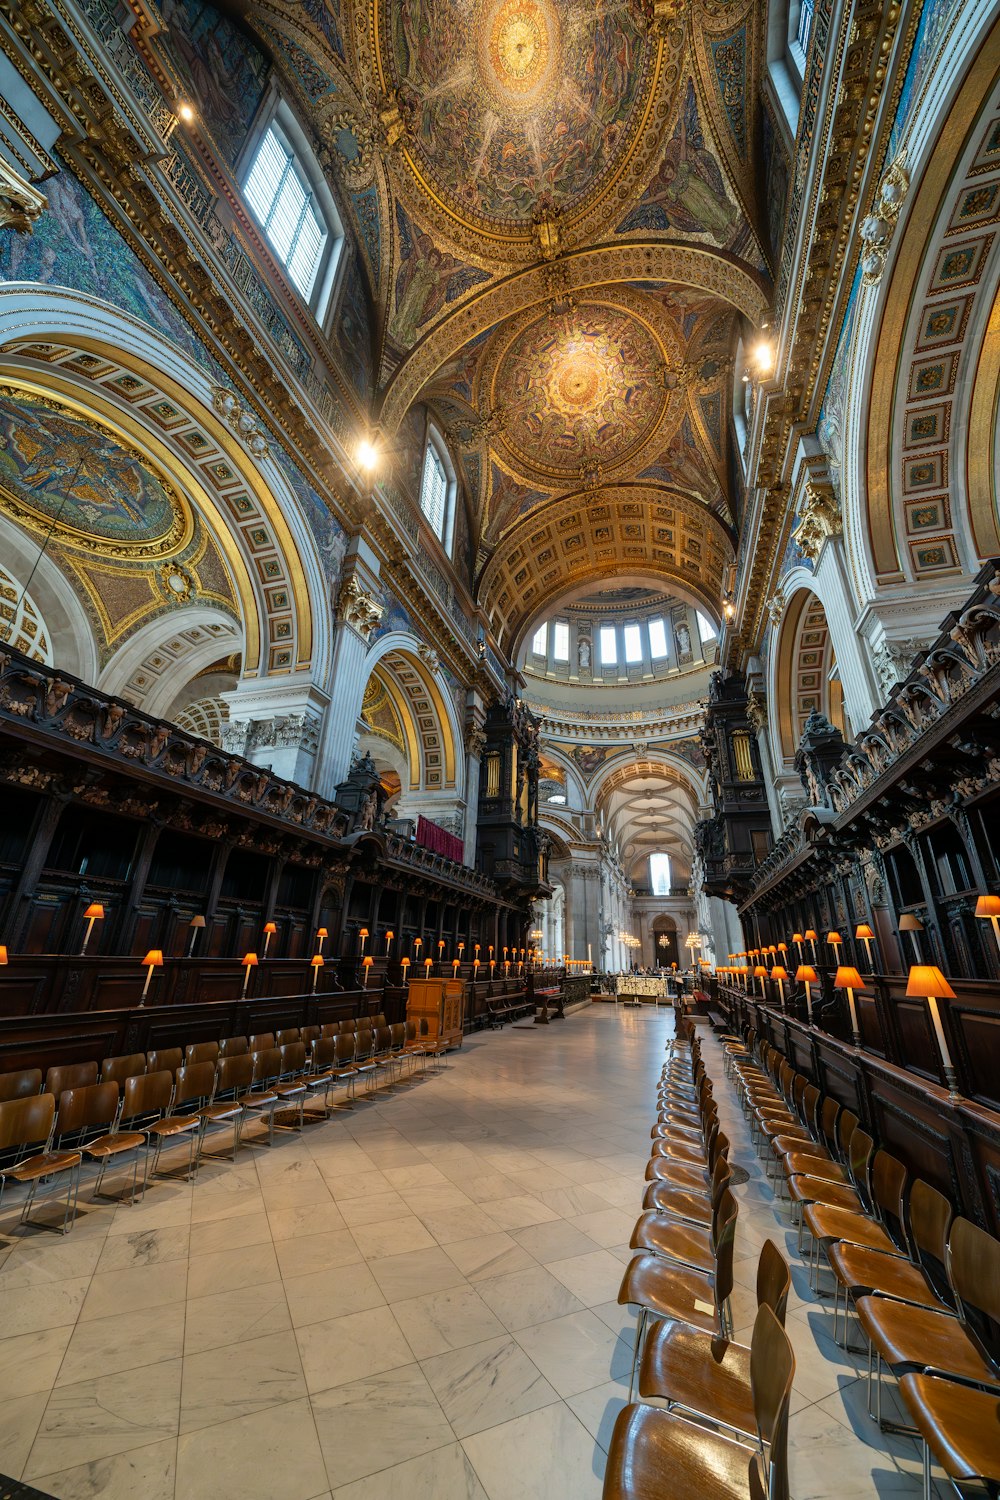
column 512, row 101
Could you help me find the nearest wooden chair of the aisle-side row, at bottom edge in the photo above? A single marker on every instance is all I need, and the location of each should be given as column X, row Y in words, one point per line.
column 656, row 1454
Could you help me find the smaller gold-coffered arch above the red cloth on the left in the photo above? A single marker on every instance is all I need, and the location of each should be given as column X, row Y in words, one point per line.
column 427, row 712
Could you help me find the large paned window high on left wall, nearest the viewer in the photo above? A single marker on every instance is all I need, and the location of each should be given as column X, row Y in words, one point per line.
column 290, row 200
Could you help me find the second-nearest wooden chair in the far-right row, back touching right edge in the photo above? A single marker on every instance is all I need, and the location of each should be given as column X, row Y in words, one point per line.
column 927, row 1342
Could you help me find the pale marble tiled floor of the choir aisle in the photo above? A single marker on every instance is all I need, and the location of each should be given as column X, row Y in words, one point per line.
column 415, row 1301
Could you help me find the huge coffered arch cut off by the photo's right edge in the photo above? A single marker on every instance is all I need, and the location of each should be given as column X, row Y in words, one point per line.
column 918, row 365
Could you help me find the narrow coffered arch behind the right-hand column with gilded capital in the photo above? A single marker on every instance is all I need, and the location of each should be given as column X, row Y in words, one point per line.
column 806, row 673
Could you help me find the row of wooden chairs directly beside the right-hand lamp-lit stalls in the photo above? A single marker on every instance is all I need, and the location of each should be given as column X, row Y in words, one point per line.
column 924, row 1283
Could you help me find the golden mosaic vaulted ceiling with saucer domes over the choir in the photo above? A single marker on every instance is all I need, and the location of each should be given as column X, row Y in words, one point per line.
column 564, row 236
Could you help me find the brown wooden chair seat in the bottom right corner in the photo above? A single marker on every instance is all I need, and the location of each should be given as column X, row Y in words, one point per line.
column 960, row 1427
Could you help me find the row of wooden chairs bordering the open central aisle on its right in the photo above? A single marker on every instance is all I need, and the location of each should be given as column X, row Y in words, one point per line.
column 725, row 1432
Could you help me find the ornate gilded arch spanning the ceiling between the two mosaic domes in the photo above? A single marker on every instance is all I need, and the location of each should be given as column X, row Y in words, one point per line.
column 599, row 266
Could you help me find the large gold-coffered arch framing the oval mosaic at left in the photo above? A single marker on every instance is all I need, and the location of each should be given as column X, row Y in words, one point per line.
column 121, row 370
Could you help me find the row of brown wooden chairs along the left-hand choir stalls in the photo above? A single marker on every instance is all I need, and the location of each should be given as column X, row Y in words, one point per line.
column 136, row 1105
